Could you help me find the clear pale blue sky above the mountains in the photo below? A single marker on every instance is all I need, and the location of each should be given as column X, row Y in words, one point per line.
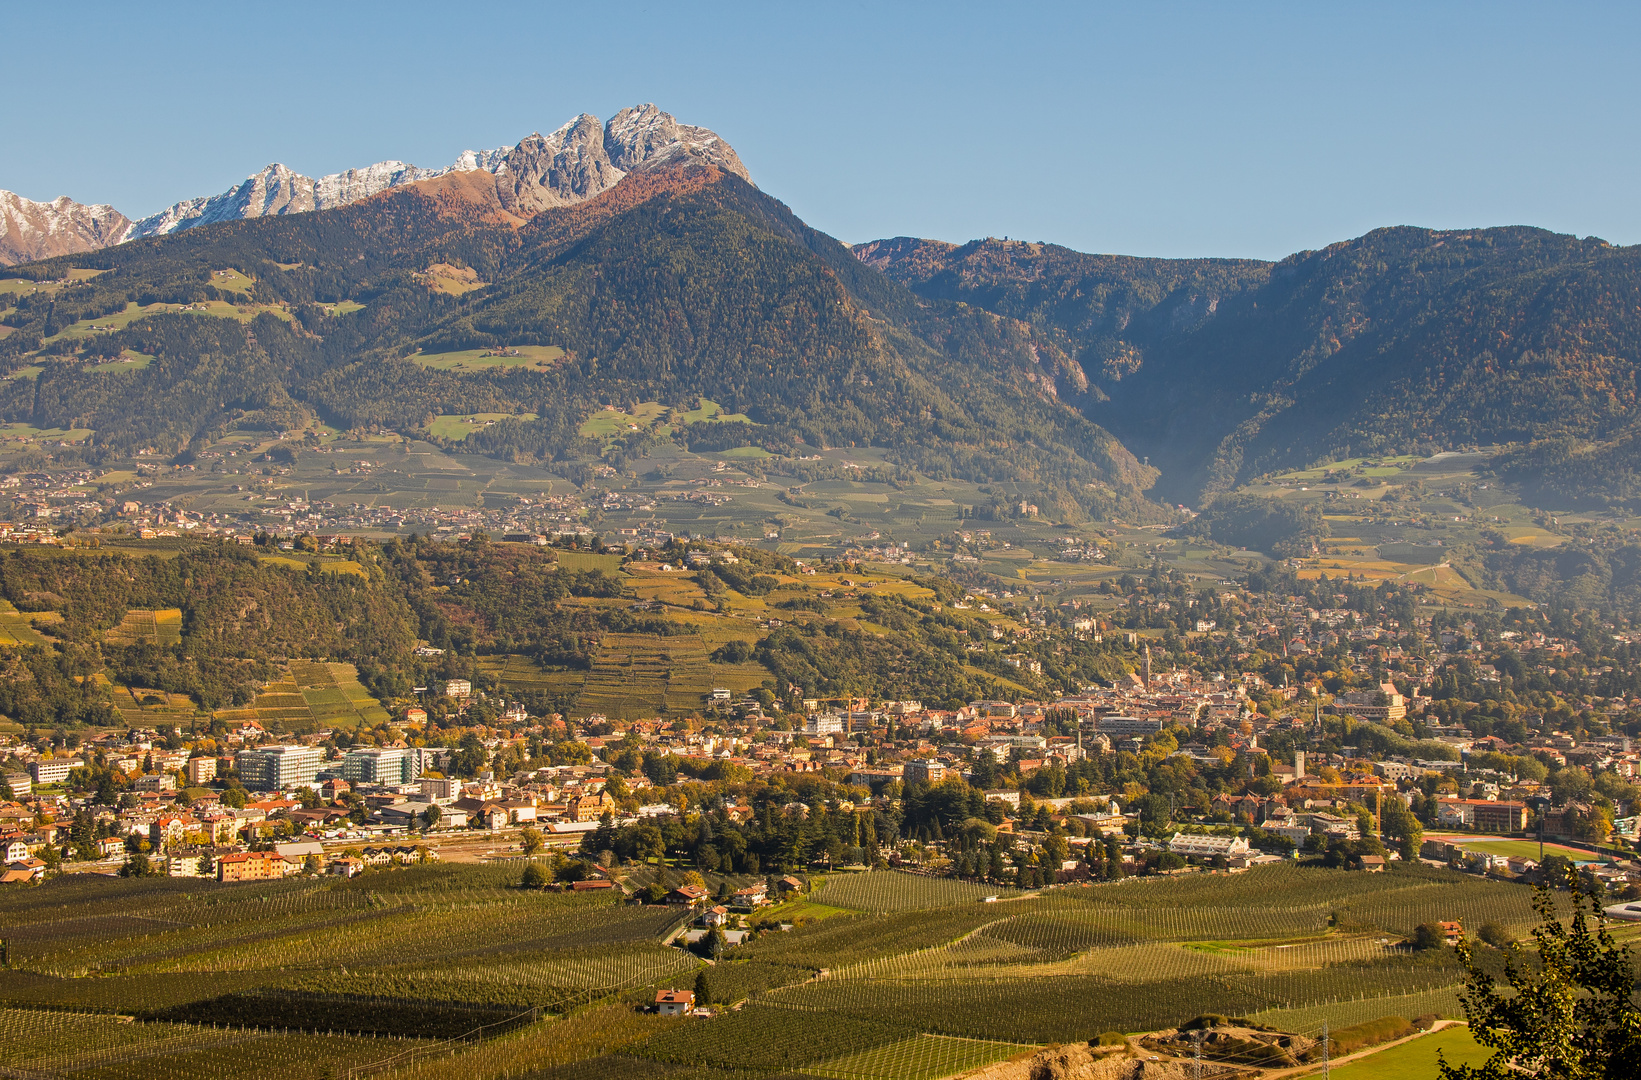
column 1159, row 129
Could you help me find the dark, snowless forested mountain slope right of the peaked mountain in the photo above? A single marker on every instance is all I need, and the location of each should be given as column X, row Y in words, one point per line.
column 1399, row 341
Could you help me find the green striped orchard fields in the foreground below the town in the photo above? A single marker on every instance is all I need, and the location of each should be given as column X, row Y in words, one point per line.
column 457, row 972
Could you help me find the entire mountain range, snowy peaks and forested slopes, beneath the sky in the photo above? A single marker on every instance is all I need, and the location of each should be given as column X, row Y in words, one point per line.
column 642, row 250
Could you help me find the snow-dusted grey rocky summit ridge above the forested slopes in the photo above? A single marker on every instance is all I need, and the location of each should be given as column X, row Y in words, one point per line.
column 575, row 163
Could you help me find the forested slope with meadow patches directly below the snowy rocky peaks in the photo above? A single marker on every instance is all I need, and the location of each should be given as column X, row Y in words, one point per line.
column 679, row 283
